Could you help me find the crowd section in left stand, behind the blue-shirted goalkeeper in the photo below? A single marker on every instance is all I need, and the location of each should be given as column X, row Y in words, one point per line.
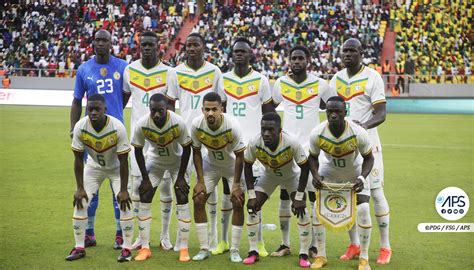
column 57, row 37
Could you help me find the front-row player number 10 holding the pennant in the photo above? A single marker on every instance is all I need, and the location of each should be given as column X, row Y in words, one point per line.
column 347, row 157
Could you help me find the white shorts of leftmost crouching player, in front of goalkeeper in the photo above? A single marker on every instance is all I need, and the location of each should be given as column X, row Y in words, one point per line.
column 94, row 177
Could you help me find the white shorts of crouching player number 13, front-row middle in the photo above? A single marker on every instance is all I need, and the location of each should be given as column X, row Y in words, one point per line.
column 212, row 175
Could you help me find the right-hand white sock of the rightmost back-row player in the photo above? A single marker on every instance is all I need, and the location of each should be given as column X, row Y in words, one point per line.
column 382, row 215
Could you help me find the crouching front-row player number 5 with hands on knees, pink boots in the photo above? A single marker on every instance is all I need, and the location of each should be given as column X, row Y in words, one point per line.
column 285, row 166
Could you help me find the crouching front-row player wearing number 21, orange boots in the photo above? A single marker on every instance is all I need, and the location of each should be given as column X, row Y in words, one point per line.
column 169, row 151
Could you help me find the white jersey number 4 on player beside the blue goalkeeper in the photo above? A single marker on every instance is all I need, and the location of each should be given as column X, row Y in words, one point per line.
column 142, row 83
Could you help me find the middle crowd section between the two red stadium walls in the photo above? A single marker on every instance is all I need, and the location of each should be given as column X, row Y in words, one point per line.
column 275, row 28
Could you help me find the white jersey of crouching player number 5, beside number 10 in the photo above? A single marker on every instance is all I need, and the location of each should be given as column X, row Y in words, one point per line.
column 281, row 163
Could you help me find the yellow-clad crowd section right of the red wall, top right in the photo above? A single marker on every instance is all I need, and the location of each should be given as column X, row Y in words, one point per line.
column 433, row 41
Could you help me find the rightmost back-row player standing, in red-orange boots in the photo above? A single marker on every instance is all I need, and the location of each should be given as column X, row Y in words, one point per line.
column 362, row 89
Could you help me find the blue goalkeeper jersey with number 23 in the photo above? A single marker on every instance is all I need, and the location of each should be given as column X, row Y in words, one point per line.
column 107, row 80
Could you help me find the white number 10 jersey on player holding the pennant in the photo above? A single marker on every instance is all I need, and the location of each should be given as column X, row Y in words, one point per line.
column 341, row 159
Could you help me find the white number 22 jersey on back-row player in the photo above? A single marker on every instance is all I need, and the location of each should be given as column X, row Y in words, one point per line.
column 245, row 97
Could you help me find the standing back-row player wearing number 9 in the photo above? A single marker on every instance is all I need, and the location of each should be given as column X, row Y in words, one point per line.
column 301, row 94
